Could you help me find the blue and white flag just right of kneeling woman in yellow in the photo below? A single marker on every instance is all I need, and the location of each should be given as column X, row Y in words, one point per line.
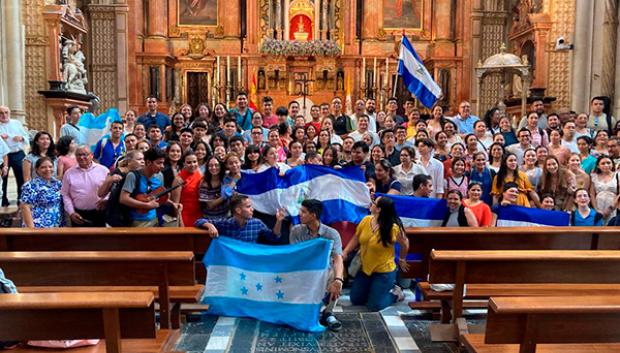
column 418, row 211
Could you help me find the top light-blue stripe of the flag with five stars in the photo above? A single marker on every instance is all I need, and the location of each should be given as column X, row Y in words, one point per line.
column 225, row 251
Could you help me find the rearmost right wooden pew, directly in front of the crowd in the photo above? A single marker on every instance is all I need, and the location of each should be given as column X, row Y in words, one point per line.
column 423, row 240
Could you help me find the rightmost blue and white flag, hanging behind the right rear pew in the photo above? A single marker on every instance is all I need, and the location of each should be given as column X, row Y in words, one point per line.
column 519, row 216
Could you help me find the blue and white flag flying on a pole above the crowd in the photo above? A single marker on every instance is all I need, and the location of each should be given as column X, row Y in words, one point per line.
column 415, row 76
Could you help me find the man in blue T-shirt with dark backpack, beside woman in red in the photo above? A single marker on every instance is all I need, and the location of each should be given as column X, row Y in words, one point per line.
column 143, row 213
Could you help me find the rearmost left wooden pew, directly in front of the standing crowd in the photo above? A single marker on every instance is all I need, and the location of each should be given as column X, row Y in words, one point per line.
column 109, row 239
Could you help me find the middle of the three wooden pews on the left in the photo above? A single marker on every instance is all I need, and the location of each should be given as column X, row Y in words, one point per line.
column 160, row 269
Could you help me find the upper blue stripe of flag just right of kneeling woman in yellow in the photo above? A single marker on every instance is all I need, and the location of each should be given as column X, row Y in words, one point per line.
column 418, row 207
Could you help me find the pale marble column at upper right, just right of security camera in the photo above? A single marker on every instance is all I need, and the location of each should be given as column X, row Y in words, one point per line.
column 582, row 56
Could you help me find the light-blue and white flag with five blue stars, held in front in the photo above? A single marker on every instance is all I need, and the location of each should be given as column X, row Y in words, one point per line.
column 277, row 284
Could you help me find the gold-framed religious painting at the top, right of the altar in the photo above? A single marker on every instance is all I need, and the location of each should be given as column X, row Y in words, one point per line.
column 404, row 14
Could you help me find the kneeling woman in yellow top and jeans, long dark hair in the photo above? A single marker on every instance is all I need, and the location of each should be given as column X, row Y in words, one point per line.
column 374, row 285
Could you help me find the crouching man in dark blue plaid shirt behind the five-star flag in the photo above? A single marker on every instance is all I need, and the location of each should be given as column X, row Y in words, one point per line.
column 242, row 226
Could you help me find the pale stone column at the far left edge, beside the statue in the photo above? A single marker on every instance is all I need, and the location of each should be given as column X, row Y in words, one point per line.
column 15, row 59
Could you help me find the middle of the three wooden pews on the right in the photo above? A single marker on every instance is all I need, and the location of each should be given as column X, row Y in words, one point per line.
column 506, row 268
